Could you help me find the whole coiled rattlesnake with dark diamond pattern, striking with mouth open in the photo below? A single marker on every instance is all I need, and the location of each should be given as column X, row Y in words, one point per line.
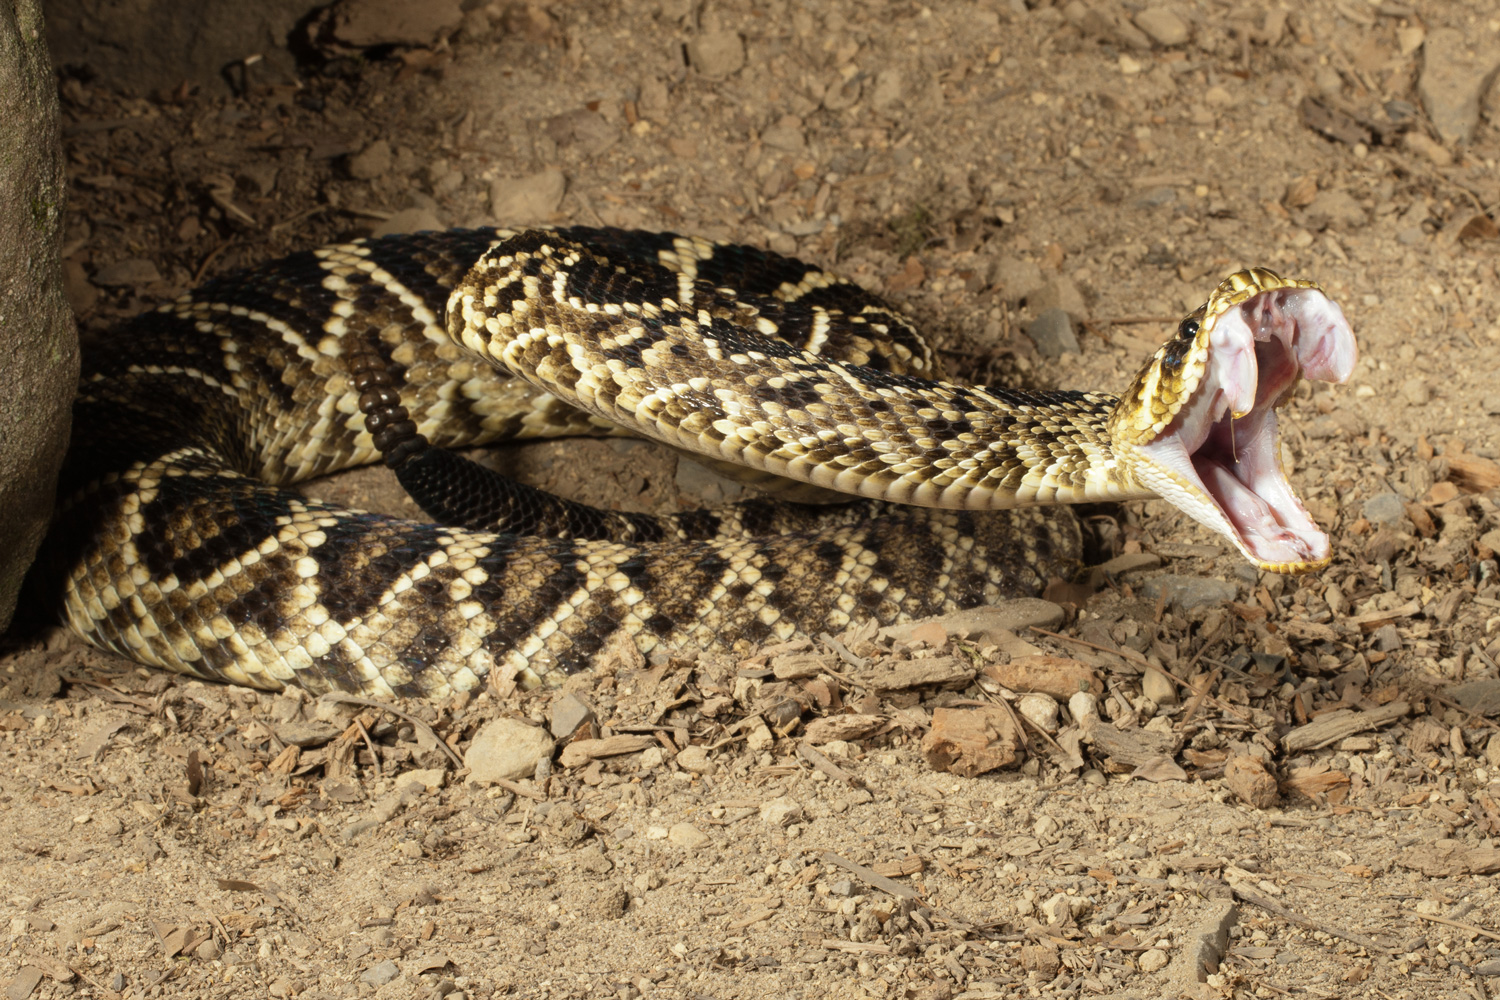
column 181, row 543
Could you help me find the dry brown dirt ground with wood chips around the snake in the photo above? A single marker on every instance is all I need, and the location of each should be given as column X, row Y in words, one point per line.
column 1319, row 776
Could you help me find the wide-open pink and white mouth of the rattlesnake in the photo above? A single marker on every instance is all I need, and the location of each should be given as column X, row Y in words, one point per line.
column 1223, row 446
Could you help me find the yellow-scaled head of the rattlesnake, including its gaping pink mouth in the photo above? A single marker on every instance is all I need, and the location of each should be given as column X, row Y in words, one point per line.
column 1198, row 425
